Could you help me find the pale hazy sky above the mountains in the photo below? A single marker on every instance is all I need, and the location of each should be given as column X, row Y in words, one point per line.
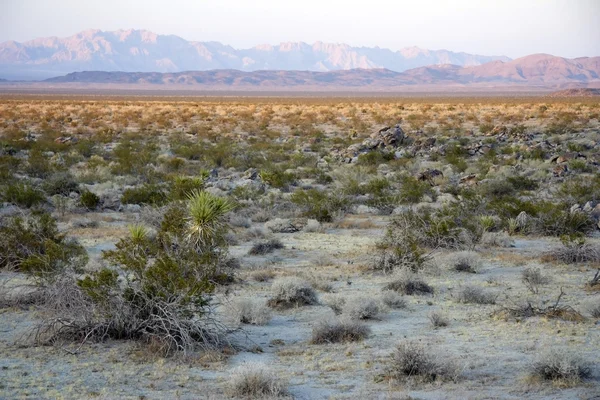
column 568, row 28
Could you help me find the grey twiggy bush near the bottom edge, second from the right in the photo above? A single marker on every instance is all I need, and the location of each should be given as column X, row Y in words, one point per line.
column 412, row 360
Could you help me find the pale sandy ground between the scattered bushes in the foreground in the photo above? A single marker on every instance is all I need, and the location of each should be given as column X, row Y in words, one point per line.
column 493, row 353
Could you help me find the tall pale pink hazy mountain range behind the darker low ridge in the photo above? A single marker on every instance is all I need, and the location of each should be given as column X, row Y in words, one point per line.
column 144, row 51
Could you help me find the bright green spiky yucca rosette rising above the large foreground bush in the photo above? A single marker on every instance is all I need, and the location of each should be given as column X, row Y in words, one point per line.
column 205, row 222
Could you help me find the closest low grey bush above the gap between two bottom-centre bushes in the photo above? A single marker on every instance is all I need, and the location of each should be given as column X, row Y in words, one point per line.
column 339, row 331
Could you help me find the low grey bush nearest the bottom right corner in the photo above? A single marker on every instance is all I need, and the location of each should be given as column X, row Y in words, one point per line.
column 562, row 367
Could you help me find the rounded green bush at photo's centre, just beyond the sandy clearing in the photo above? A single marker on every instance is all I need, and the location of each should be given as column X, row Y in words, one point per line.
column 318, row 204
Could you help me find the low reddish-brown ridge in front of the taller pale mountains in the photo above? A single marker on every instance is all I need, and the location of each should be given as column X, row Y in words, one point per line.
column 534, row 71
